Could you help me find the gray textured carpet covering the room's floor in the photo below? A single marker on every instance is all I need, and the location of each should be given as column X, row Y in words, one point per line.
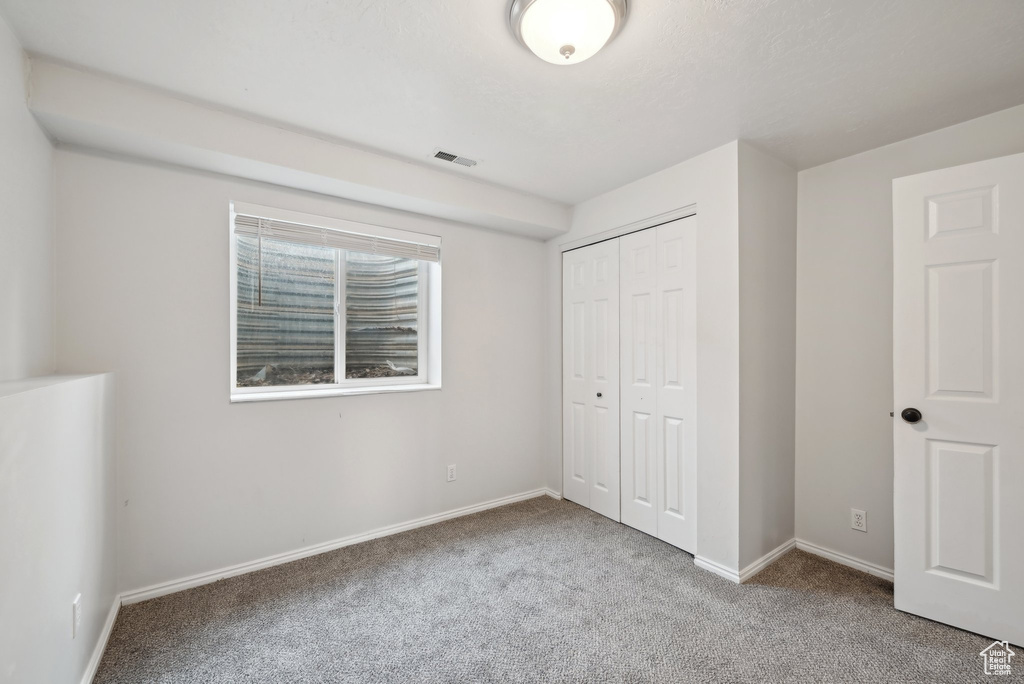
column 539, row 591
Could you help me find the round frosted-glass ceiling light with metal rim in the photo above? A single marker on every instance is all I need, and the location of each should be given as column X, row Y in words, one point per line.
column 567, row 32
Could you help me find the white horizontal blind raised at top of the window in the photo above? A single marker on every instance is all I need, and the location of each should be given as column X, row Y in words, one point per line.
column 257, row 227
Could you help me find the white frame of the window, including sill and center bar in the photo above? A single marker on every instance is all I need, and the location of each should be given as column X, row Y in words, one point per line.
column 429, row 317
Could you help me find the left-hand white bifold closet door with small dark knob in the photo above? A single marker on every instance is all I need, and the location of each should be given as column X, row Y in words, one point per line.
column 590, row 377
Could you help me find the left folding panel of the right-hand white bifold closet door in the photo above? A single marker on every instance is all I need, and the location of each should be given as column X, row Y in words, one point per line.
column 637, row 430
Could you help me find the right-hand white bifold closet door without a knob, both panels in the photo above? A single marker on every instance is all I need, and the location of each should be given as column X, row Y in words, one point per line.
column 658, row 371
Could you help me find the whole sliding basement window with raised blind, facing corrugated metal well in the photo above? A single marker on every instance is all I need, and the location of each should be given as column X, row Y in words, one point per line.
column 325, row 307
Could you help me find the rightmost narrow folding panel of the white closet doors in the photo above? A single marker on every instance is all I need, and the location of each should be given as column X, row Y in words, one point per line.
column 675, row 375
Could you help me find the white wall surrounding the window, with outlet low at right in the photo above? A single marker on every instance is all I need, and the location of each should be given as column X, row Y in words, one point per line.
column 143, row 259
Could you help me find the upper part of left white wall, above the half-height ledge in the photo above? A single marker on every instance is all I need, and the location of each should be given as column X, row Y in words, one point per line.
column 27, row 230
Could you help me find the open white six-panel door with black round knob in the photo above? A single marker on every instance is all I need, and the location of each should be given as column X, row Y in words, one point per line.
column 959, row 360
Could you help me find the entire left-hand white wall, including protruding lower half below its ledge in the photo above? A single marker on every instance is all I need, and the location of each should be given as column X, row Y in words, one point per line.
column 58, row 472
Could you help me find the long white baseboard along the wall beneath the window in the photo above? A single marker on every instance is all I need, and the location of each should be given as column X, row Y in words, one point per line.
column 176, row 586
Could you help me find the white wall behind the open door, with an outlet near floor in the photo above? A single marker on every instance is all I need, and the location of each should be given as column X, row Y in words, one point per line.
column 844, row 329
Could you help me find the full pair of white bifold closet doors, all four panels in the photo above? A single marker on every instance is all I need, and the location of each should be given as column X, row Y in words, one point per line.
column 629, row 365
